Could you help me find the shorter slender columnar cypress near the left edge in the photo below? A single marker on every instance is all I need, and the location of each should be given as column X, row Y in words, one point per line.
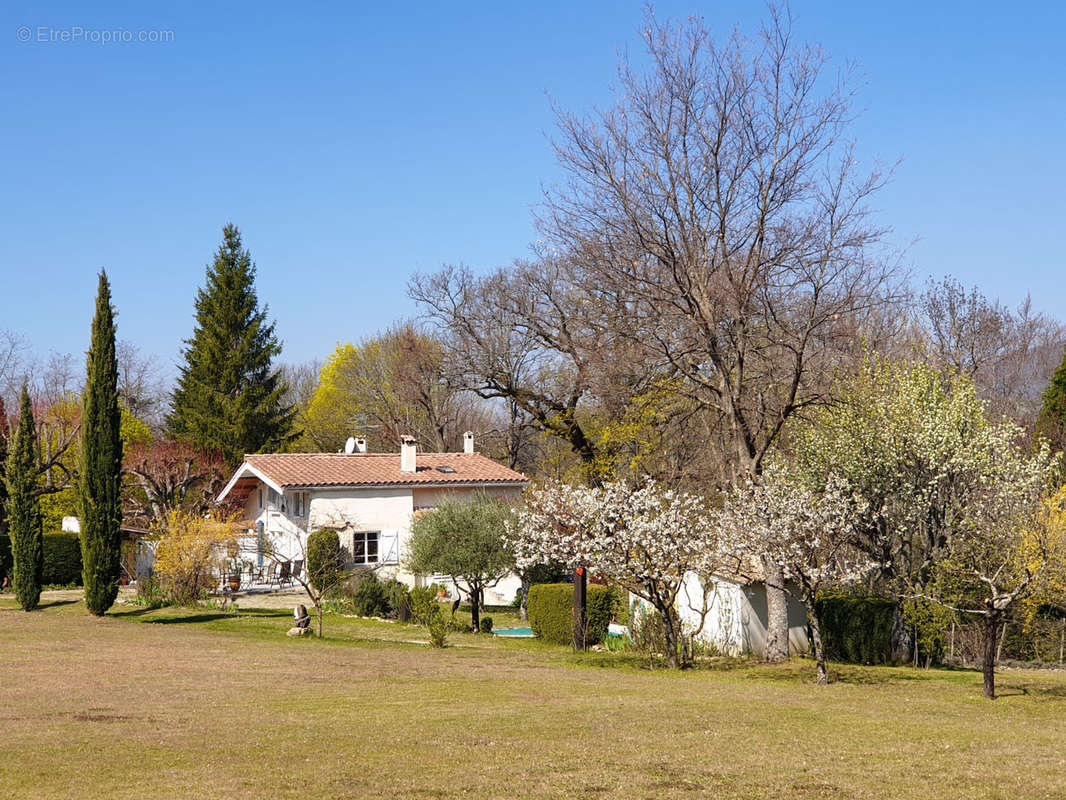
column 24, row 509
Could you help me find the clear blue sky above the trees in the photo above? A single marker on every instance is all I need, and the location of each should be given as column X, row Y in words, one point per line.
column 357, row 143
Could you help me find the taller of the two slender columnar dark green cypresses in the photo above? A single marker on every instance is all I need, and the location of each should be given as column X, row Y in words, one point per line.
column 100, row 484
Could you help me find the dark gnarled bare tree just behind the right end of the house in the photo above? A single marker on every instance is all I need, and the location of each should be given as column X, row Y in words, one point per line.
column 539, row 340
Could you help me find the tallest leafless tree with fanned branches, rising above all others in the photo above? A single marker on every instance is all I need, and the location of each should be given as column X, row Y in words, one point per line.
column 720, row 201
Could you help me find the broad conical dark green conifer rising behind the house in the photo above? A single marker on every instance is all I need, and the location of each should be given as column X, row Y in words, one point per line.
column 229, row 399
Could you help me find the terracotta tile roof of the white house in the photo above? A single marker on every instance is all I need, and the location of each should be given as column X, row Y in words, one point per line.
column 375, row 470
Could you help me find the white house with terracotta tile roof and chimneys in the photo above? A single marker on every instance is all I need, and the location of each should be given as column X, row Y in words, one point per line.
column 369, row 499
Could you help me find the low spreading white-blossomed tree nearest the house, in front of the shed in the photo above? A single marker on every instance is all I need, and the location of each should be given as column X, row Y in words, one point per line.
column 648, row 540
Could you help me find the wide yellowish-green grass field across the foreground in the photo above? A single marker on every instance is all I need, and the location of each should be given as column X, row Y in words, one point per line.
column 199, row 705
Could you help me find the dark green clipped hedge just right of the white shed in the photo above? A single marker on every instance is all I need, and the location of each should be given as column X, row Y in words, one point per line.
column 858, row 630
